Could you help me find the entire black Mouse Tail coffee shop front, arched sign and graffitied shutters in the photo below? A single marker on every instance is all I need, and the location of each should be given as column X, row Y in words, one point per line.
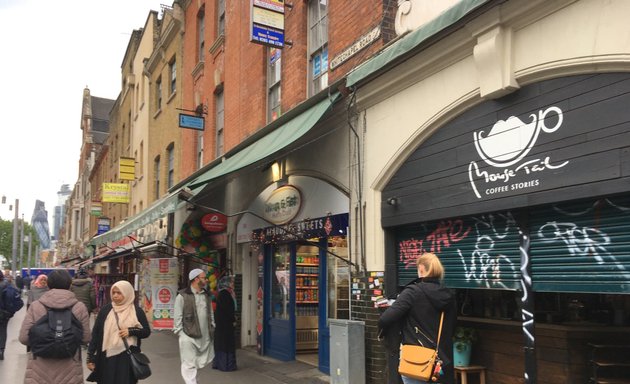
column 525, row 200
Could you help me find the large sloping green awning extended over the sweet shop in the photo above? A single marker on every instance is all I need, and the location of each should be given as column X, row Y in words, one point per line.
column 269, row 144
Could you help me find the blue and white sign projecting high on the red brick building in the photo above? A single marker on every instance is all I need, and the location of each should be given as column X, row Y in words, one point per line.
column 267, row 22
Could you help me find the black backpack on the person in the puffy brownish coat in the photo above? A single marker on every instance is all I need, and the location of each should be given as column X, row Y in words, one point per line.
column 57, row 335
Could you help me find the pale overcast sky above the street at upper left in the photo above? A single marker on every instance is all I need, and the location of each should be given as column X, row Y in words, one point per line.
column 51, row 51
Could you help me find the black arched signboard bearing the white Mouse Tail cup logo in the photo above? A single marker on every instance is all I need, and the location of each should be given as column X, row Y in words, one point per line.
column 554, row 140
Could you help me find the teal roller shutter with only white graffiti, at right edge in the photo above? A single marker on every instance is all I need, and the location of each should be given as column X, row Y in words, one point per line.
column 582, row 246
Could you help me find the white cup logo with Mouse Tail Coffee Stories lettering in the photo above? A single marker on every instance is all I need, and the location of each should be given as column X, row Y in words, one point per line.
column 507, row 143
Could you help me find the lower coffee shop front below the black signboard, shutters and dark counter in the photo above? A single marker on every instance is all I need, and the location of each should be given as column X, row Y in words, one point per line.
column 580, row 263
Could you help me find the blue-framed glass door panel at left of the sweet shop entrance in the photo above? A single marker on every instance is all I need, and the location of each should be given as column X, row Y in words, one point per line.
column 279, row 335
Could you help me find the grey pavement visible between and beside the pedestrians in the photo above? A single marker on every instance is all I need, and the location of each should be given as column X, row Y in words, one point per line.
column 163, row 350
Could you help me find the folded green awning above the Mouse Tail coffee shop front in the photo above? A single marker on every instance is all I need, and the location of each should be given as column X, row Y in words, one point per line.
column 413, row 39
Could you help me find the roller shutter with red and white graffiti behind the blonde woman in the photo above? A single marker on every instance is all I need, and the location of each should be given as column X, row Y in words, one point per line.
column 477, row 251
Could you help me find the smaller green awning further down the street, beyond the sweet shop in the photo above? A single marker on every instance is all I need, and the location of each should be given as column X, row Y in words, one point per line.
column 160, row 208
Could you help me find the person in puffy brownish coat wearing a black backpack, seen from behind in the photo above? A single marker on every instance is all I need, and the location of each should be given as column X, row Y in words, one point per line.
column 56, row 368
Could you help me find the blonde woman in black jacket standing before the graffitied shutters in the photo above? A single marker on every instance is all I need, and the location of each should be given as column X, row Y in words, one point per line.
column 417, row 311
